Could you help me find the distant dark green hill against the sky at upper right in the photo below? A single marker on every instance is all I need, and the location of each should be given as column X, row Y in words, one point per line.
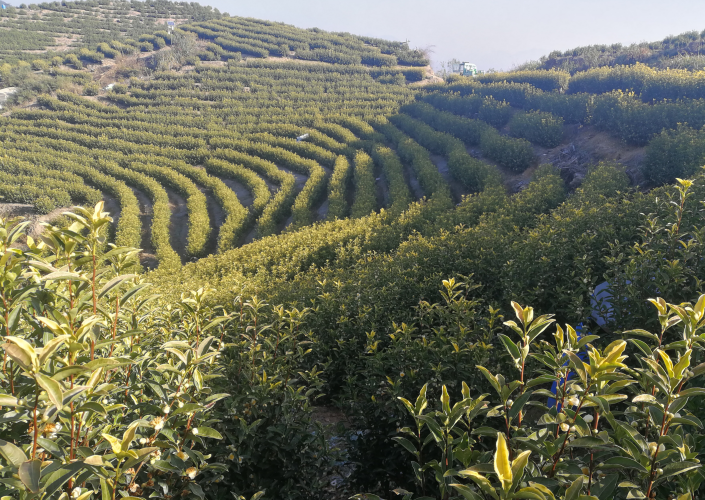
column 684, row 51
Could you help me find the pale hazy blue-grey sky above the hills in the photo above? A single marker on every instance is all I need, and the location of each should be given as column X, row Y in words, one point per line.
column 490, row 33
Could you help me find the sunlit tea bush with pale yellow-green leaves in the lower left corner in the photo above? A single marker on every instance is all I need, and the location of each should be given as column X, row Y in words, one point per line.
column 96, row 396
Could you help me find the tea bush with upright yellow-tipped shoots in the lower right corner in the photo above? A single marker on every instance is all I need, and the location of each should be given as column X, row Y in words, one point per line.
column 619, row 424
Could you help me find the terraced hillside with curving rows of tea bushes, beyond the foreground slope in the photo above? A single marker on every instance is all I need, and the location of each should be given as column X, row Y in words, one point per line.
column 198, row 149
